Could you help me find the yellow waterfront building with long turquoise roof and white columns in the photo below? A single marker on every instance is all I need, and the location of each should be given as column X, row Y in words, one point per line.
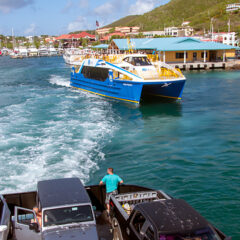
column 178, row 49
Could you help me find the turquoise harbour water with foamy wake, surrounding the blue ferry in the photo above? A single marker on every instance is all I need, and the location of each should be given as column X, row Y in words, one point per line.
column 190, row 149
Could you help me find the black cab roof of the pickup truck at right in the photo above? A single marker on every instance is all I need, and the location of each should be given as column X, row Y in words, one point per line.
column 173, row 216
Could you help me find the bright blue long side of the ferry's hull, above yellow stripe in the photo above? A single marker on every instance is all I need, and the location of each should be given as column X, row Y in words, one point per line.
column 122, row 90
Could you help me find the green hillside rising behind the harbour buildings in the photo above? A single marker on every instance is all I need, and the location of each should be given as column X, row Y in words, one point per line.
column 198, row 12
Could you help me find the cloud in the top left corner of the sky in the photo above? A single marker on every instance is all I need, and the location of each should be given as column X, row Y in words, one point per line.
column 8, row 5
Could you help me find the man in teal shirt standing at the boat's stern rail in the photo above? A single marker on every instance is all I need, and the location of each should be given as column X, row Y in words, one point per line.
column 111, row 180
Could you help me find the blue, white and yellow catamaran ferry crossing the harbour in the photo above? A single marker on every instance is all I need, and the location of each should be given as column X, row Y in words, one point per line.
column 131, row 79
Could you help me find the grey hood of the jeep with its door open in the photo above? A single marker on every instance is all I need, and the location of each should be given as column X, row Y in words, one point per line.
column 85, row 232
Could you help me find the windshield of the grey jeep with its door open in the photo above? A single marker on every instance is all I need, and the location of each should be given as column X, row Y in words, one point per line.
column 67, row 215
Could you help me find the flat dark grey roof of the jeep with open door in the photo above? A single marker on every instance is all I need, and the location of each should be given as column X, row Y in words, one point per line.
column 59, row 192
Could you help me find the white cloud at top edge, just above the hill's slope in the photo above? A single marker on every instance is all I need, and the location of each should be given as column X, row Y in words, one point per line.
column 142, row 6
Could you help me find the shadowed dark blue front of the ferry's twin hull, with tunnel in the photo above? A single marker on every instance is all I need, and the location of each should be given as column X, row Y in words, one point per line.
column 168, row 89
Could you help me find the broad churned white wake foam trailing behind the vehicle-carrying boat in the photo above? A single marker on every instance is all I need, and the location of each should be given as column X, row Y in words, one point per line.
column 64, row 140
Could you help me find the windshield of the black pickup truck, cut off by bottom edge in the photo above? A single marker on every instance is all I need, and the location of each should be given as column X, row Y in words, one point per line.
column 205, row 234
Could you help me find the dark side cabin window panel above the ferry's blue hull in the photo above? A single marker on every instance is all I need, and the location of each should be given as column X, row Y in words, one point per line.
column 100, row 74
